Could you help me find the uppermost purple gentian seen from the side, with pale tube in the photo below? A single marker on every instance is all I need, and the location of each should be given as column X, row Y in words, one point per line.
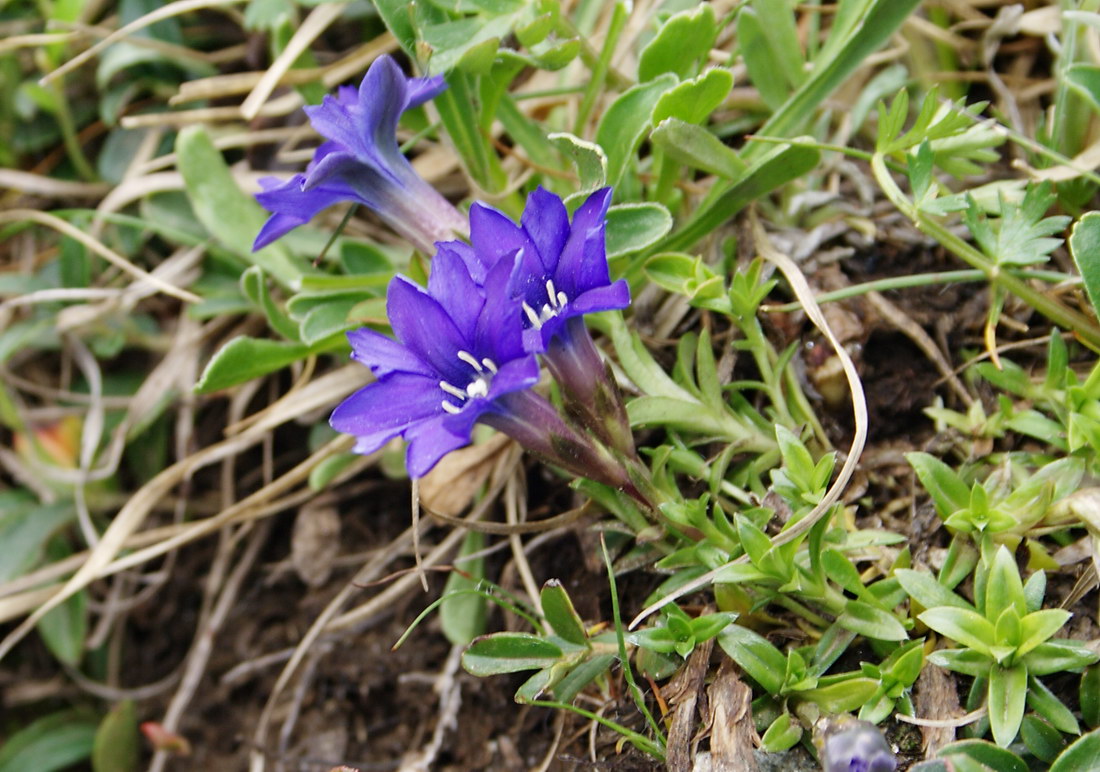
column 362, row 163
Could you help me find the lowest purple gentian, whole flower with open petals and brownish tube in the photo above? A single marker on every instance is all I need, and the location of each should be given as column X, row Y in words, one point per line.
column 459, row 359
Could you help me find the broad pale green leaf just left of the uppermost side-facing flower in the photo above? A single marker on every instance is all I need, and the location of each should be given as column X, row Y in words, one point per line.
column 226, row 211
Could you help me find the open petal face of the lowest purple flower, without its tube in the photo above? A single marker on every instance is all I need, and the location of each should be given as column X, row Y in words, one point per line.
column 455, row 360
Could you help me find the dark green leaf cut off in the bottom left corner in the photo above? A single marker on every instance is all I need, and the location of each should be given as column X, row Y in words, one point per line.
column 52, row 743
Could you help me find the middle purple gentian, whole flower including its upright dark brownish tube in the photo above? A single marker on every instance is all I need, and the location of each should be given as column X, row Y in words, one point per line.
column 562, row 274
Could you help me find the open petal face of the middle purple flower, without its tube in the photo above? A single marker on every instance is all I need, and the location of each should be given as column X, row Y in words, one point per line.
column 563, row 269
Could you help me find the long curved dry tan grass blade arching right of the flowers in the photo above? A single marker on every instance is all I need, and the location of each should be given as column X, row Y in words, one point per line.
column 806, row 296
